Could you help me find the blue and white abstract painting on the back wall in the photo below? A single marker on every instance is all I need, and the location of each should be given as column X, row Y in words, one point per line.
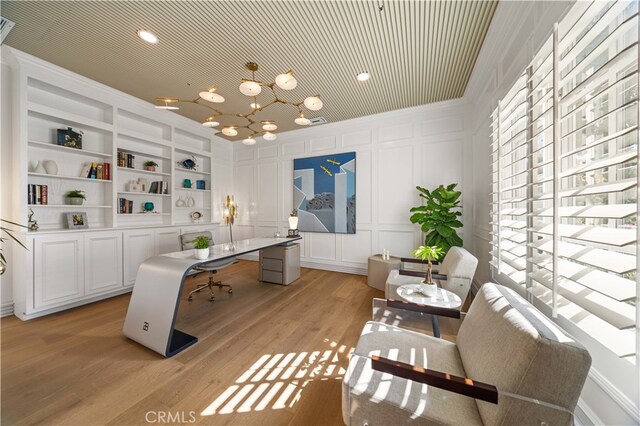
column 324, row 192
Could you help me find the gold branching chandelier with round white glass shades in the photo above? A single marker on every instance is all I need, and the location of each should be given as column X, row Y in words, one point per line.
column 251, row 88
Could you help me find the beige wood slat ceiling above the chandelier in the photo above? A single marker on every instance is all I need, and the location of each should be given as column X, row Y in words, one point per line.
column 418, row 52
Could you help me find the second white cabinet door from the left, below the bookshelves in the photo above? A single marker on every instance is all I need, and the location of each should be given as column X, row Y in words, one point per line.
column 103, row 262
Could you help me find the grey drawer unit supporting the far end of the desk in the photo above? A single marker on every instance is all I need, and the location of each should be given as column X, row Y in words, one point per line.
column 280, row 264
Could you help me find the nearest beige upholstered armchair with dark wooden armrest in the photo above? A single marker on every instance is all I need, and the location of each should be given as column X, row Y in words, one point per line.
column 510, row 365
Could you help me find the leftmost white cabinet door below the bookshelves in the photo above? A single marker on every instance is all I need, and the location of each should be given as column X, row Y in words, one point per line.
column 58, row 269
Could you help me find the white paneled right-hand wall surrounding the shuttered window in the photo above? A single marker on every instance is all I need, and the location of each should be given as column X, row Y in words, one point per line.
column 517, row 31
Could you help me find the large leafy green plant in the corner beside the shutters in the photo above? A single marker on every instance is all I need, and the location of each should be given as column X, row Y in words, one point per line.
column 437, row 217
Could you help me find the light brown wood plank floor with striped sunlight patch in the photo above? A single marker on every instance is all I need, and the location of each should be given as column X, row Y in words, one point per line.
column 267, row 355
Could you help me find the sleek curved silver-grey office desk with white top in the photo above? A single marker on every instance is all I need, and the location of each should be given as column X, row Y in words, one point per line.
column 153, row 308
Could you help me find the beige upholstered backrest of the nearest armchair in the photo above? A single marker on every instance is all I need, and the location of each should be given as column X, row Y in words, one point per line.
column 508, row 343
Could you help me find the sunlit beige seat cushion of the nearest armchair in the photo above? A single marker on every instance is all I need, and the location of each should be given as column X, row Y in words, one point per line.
column 387, row 401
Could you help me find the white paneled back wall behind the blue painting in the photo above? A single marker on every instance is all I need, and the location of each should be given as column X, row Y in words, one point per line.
column 395, row 151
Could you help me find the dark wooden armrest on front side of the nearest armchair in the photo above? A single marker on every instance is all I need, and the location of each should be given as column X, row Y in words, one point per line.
column 449, row 382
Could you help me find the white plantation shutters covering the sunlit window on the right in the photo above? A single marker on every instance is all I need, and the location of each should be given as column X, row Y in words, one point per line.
column 580, row 171
